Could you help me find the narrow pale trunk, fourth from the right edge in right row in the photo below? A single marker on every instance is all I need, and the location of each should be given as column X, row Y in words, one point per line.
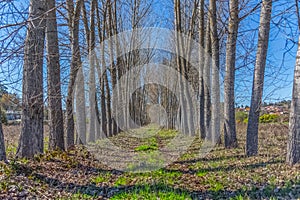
column 215, row 94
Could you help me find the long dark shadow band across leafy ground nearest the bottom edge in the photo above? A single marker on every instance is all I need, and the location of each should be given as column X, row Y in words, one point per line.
column 92, row 190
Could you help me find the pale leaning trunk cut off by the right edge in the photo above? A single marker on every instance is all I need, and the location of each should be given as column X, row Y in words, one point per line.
column 293, row 149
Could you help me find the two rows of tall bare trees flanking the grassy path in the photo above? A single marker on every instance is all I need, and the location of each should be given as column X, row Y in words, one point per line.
column 99, row 20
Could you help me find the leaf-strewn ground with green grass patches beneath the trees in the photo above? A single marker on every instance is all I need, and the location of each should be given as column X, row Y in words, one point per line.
column 226, row 174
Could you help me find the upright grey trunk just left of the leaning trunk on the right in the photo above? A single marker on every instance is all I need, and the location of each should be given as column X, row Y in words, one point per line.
column 229, row 83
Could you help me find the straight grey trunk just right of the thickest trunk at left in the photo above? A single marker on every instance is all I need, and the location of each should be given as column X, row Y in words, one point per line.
column 56, row 125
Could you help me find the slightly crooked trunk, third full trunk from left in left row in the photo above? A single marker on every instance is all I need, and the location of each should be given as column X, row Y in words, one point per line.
column 73, row 15
